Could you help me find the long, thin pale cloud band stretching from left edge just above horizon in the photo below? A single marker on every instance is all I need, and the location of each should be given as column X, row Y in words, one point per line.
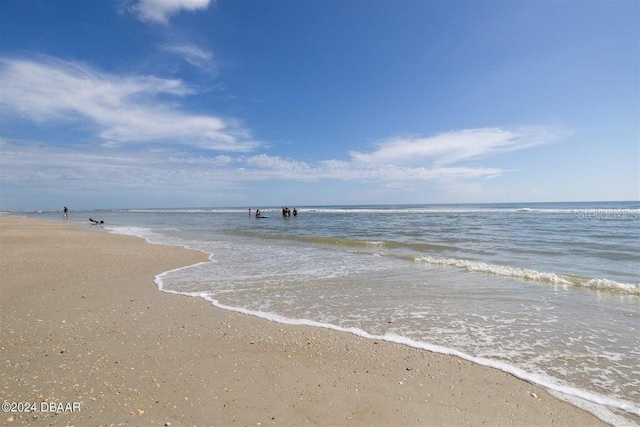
column 37, row 166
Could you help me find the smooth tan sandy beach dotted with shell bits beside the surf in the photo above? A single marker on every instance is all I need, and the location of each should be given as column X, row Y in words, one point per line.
column 81, row 321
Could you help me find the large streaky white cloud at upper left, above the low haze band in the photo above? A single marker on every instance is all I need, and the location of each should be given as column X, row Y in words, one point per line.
column 121, row 109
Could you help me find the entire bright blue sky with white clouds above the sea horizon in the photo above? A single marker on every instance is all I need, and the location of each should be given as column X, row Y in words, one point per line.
column 176, row 103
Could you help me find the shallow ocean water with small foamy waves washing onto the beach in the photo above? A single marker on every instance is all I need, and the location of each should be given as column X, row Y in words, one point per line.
column 547, row 292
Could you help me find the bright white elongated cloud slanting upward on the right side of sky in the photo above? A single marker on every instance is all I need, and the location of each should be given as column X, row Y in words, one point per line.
column 453, row 147
